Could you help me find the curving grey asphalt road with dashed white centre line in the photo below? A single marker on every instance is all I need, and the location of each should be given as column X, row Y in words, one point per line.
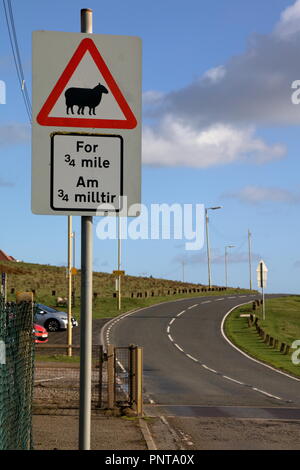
column 191, row 370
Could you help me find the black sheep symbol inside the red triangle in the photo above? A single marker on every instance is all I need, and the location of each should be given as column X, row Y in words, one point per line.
column 83, row 97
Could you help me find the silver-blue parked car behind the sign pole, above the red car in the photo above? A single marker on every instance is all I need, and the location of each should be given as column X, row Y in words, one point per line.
column 52, row 319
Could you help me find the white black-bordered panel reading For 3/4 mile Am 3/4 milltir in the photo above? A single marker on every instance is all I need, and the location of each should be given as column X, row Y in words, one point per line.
column 86, row 172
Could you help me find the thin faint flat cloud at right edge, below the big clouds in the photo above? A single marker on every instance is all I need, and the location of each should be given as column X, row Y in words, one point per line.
column 258, row 194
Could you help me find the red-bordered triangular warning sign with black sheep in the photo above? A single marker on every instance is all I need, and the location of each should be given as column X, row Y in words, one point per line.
column 76, row 102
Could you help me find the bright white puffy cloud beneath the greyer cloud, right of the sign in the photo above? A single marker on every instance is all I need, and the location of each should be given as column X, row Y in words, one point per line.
column 175, row 143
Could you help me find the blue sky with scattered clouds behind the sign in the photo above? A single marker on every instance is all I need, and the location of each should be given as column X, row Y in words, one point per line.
column 219, row 128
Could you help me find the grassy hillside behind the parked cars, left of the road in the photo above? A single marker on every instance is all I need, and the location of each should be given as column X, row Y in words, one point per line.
column 49, row 282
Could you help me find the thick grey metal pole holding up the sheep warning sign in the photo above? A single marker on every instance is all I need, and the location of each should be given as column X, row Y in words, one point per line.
column 86, row 305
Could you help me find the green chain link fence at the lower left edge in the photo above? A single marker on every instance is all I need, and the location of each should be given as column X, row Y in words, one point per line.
column 16, row 375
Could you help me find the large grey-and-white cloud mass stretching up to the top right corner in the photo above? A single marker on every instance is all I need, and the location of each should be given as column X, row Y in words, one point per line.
column 213, row 120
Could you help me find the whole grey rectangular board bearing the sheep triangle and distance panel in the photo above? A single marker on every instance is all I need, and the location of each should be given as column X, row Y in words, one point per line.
column 86, row 129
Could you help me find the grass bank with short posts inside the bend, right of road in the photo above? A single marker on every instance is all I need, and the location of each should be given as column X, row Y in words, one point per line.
column 282, row 322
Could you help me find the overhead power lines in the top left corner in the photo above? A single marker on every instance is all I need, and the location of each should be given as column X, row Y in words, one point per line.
column 16, row 55
